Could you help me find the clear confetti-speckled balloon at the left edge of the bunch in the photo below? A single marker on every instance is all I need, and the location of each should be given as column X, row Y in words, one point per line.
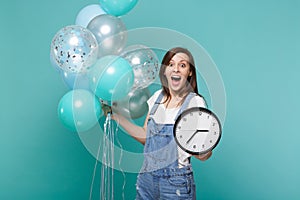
column 74, row 49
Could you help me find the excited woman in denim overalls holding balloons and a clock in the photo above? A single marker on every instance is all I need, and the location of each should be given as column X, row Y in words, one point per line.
column 166, row 172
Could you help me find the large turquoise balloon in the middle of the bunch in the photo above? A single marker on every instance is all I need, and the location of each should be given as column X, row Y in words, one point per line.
column 111, row 78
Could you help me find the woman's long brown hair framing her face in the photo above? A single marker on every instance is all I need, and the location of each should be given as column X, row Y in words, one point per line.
column 191, row 83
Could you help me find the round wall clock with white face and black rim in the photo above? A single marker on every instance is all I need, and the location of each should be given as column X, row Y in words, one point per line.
column 197, row 130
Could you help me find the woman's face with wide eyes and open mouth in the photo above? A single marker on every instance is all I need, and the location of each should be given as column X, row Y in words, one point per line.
column 177, row 72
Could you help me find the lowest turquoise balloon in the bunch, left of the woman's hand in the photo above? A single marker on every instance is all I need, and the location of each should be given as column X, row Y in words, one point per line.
column 79, row 110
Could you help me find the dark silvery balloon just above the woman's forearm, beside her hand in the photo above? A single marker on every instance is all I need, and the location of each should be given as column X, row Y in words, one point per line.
column 134, row 105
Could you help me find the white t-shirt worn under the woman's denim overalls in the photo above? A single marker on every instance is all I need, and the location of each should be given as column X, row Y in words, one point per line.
column 165, row 115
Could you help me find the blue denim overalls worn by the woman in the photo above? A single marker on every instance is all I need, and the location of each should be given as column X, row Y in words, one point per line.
column 160, row 176
